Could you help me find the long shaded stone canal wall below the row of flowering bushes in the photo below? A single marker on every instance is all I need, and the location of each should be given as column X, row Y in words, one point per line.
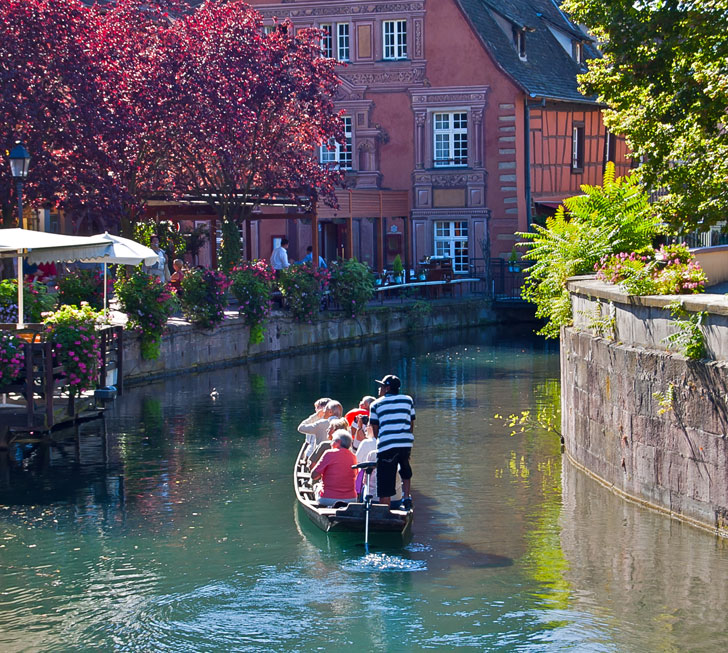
column 185, row 348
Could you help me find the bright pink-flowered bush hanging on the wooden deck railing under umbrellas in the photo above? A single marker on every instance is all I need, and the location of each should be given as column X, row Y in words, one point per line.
column 76, row 345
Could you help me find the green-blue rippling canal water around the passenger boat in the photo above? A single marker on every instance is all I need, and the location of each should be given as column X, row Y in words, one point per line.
column 173, row 526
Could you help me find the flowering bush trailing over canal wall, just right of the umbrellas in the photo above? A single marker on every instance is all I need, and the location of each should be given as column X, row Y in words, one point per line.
column 148, row 304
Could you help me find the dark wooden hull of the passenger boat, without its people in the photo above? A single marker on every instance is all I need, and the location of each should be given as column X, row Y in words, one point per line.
column 350, row 517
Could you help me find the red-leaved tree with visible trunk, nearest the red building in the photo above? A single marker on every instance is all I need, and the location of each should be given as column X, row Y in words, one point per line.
column 252, row 108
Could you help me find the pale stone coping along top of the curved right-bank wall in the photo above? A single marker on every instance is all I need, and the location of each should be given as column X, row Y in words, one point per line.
column 589, row 286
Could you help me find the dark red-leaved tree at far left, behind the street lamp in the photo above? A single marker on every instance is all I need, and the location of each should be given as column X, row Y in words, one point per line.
column 50, row 99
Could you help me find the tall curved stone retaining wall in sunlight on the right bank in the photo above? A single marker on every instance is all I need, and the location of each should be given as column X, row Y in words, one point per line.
column 648, row 423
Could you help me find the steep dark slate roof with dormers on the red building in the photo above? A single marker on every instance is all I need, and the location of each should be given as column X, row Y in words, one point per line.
column 548, row 71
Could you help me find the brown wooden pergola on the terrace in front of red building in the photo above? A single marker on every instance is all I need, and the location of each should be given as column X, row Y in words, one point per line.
column 353, row 204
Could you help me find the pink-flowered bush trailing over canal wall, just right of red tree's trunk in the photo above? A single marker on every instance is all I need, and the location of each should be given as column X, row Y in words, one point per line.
column 252, row 284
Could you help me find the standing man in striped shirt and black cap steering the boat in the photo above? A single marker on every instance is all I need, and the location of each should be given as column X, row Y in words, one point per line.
column 392, row 419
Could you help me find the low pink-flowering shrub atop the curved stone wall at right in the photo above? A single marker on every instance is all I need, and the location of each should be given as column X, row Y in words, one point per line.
column 671, row 270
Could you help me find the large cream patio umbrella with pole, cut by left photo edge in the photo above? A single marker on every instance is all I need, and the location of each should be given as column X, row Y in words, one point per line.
column 41, row 247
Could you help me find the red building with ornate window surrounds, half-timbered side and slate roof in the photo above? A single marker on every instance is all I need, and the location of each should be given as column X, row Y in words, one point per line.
column 467, row 109
